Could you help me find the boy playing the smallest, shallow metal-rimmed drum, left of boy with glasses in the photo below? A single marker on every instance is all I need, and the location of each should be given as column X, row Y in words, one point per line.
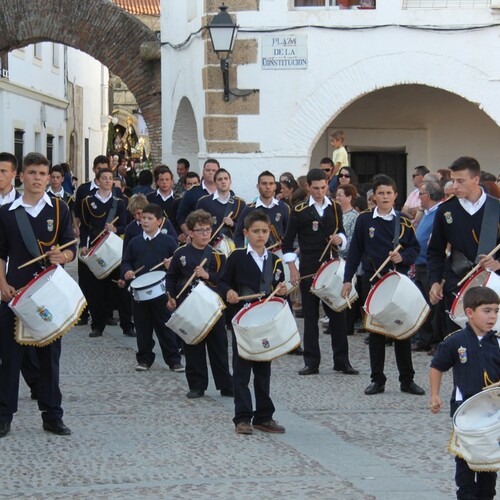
column 147, row 250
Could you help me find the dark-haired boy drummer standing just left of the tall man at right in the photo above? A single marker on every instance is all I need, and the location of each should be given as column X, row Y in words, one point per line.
column 373, row 240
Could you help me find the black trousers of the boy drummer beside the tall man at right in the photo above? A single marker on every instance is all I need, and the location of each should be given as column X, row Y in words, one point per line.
column 402, row 350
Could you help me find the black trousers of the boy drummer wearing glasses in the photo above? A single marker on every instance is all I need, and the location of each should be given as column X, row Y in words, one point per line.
column 196, row 359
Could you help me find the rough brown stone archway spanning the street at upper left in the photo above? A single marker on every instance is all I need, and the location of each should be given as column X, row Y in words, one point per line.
column 102, row 30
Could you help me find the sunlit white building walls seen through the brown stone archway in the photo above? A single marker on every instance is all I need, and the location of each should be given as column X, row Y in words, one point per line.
column 34, row 99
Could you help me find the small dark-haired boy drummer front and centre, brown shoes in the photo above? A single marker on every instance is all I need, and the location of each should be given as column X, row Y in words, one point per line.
column 248, row 271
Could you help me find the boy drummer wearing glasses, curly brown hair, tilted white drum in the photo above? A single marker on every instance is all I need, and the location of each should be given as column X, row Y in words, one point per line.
column 186, row 261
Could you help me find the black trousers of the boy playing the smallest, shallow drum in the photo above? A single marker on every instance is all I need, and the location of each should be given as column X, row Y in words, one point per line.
column 152, row 315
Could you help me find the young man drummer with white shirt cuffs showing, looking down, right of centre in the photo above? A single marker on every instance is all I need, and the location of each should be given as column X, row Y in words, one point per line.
column 317, row 222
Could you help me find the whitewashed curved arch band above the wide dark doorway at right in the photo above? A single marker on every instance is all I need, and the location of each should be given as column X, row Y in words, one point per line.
column 368, row 75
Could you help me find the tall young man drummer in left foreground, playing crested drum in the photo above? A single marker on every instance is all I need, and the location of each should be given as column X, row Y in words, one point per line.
column 48, row 222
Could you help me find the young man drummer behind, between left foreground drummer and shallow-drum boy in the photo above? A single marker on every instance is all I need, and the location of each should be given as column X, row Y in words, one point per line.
column 98, row 212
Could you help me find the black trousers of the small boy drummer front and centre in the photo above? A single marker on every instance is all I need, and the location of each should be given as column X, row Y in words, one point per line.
column 243, row 408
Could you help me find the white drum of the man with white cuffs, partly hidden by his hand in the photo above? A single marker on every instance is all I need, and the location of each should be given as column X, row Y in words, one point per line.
column 328, row 282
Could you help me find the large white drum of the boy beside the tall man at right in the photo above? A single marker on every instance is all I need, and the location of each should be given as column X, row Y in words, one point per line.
column 395, row 307
